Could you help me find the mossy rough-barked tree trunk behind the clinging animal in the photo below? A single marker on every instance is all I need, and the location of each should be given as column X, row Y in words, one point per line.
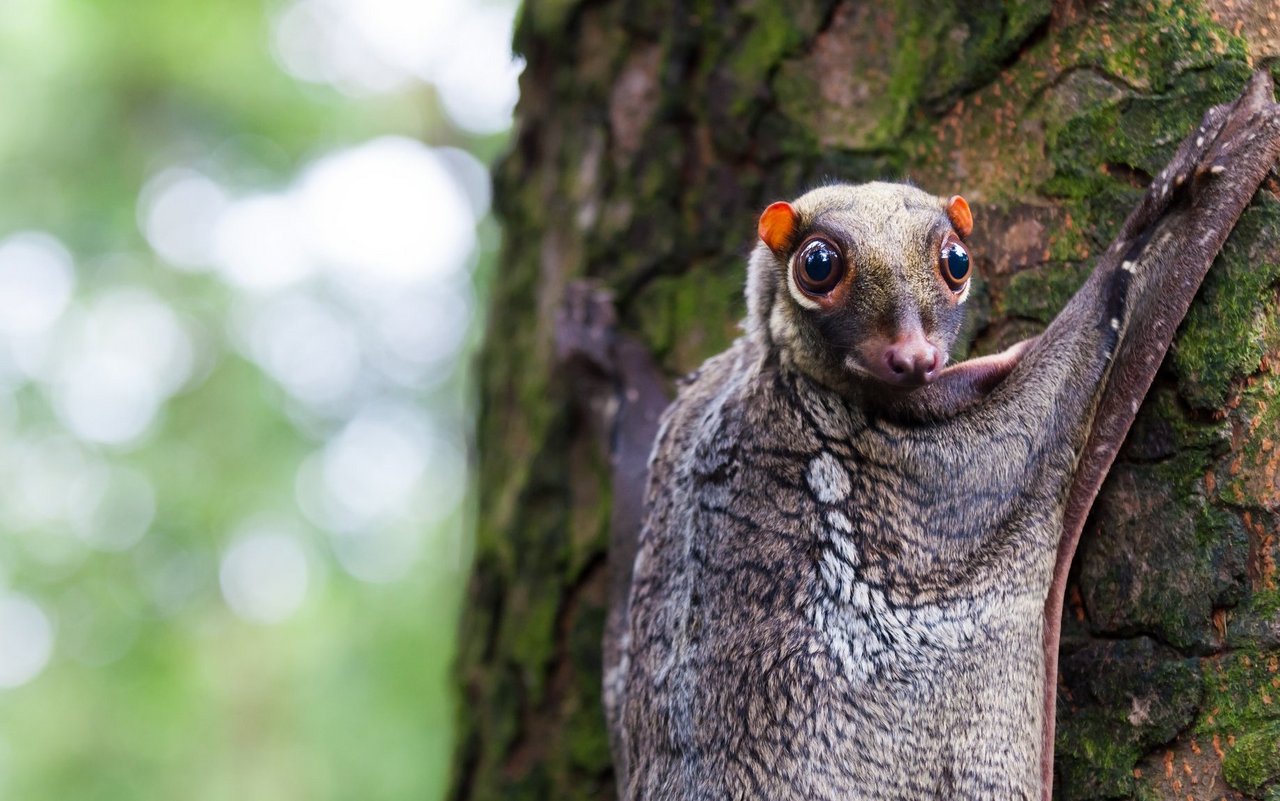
column 652, row 135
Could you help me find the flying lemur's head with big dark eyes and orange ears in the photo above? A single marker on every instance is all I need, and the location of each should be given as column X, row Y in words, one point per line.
column 863, row 283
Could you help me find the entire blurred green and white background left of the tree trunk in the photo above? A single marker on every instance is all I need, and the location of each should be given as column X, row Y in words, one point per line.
column 243, row 257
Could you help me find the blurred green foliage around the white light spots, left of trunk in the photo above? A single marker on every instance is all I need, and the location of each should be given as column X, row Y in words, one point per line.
column 350, row 697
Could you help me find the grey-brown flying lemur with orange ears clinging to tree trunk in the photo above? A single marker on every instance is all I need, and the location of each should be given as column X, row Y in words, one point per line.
column 839, row 573
